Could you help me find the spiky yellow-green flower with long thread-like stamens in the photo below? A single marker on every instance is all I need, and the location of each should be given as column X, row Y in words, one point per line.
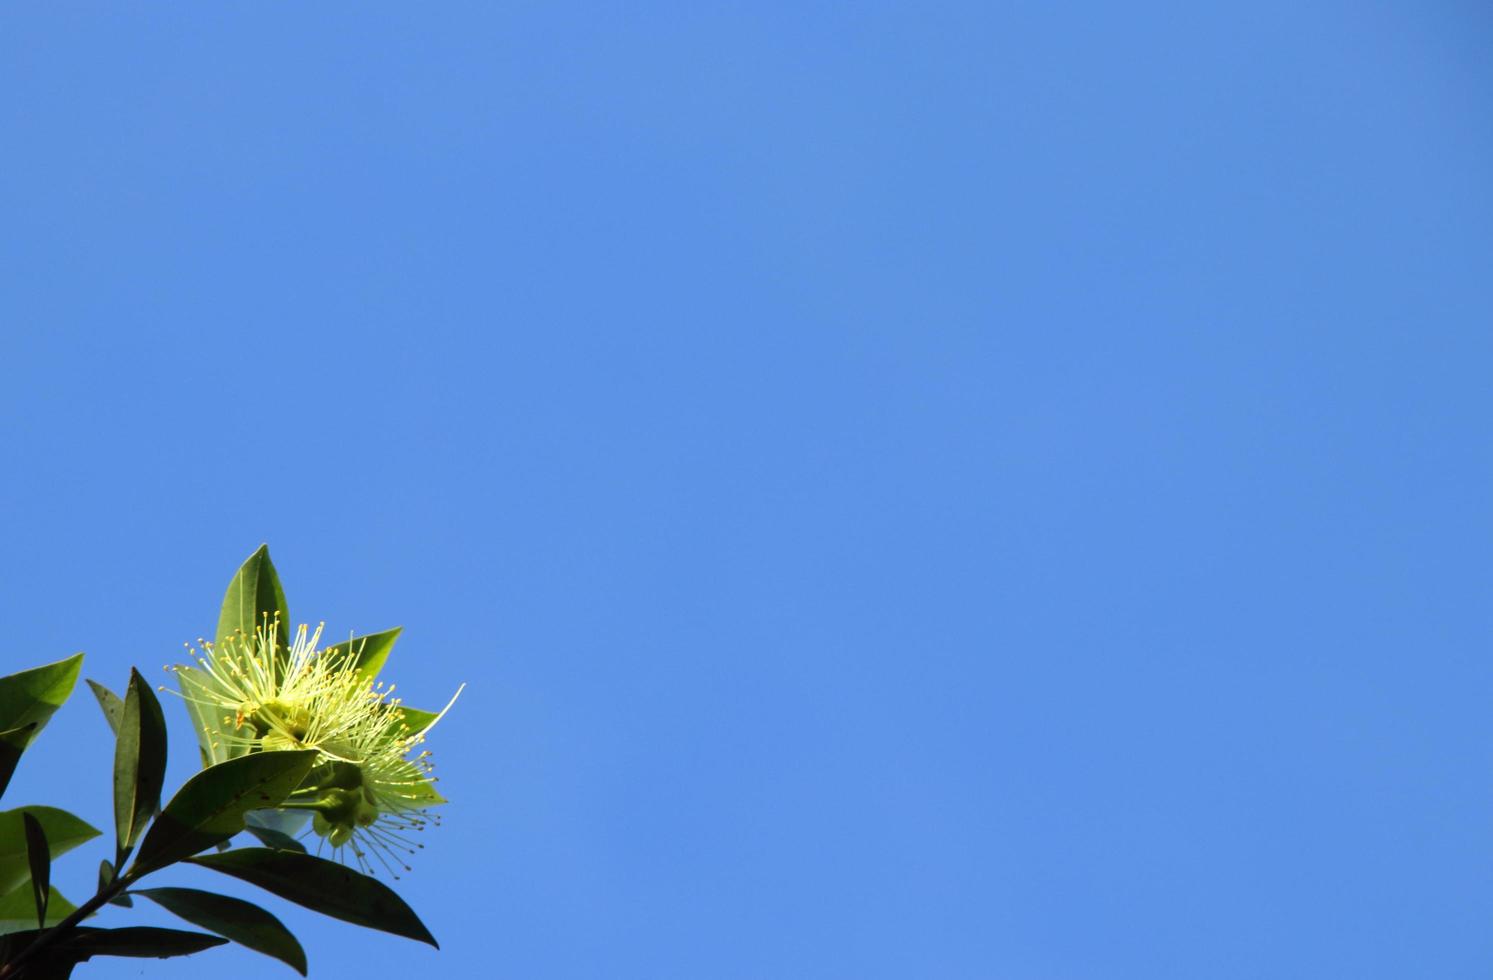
column 367, row 793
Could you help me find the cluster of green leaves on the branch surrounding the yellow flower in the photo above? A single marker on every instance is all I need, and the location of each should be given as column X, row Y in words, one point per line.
column 41, row 931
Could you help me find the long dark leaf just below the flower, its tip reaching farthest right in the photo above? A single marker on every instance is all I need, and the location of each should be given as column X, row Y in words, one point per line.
column 322, row 887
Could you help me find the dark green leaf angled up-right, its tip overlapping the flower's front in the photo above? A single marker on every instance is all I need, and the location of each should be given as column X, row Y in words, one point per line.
column 211, row 806
